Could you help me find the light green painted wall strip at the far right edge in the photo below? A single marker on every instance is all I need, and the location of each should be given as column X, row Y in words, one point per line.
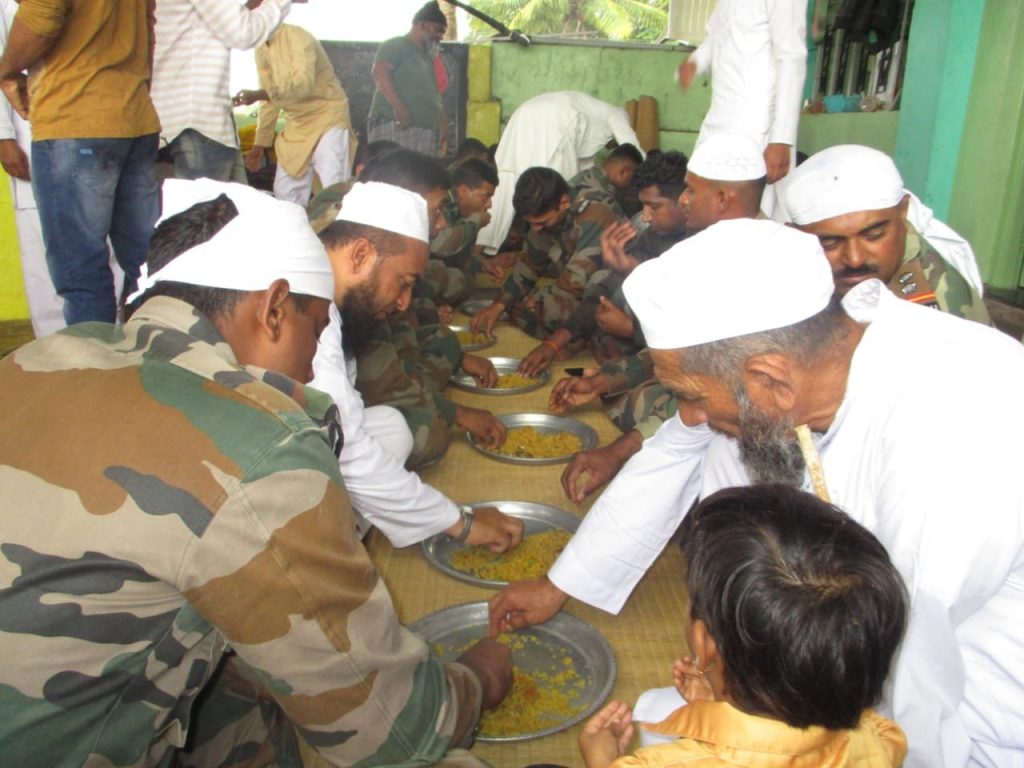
column 988, row 204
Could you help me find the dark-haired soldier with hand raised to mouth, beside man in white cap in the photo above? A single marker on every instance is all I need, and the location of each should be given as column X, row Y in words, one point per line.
column 662, row 224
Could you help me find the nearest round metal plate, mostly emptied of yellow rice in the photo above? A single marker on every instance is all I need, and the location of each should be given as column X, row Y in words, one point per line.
column 547, row 648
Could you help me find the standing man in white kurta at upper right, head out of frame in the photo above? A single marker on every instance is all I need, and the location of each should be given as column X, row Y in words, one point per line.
column 756, row 54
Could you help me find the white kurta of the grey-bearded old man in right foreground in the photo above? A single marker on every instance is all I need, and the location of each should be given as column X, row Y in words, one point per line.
column 925, row 453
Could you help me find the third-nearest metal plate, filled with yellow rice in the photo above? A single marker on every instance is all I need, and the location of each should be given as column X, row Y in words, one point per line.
column 539, row 439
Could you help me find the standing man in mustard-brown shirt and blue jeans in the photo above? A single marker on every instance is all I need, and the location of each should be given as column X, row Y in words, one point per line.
column 95, row 140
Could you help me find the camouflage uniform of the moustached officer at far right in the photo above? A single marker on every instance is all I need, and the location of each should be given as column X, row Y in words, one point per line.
column 925, row 278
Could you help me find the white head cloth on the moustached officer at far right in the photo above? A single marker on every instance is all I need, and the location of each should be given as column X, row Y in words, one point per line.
column 840, row 181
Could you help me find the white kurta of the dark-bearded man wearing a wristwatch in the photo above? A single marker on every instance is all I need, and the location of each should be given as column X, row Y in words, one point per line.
column 382, row 491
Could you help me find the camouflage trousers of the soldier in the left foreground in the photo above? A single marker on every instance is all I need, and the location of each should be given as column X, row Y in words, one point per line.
column 237, row 724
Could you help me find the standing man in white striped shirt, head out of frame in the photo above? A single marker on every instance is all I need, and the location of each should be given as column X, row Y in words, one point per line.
column 191, row 89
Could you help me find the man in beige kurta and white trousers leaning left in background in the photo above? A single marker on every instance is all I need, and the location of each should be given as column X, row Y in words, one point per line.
column 296, row 76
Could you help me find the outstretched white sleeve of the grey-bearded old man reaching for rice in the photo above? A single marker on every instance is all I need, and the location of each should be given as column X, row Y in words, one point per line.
column 635, row 518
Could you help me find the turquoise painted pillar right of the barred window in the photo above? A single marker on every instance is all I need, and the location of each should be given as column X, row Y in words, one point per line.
column 945, row 36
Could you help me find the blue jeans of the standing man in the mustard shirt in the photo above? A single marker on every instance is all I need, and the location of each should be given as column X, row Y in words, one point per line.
column 90, row 190
